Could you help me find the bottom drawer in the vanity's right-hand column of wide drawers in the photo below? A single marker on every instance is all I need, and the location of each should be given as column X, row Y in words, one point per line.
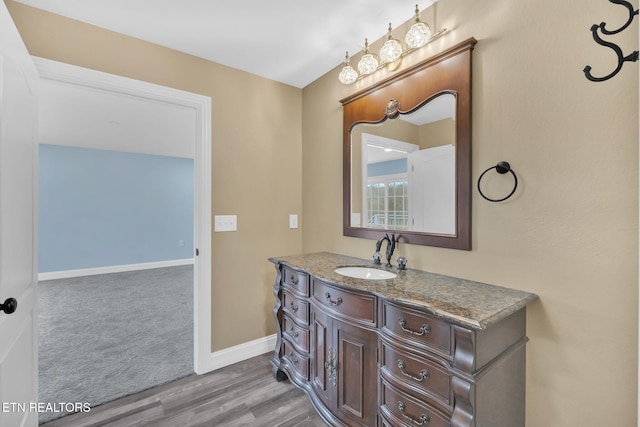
column 400, row 409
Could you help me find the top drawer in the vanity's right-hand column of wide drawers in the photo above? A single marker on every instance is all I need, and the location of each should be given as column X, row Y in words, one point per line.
column 416, row 328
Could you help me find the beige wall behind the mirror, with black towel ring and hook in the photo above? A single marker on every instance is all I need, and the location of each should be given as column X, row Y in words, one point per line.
column 570, row 232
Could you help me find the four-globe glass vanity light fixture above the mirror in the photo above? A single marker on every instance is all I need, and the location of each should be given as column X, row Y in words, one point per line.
column 418, row 35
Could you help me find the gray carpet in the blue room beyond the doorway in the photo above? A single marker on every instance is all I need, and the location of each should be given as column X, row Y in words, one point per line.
column 107, row 336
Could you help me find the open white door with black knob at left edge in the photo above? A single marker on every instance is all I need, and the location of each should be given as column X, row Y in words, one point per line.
column 18, row 334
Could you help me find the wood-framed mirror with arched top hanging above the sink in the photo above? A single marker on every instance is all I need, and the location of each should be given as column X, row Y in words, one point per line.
column 407, row 154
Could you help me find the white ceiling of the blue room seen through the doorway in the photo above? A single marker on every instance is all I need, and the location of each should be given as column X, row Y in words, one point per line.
column 79, row 116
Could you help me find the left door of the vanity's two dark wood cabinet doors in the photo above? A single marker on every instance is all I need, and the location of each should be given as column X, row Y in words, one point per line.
column 323, row 378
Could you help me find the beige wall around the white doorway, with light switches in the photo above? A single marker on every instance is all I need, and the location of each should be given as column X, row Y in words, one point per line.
column 256, row 157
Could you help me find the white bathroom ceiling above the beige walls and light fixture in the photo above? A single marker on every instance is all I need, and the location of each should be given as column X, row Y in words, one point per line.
column 290, row 41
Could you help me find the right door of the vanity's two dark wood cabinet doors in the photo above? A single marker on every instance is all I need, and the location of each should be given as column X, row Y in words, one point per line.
column 357, row 374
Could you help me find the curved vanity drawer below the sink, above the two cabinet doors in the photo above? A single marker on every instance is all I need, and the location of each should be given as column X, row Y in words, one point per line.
column 349, row 304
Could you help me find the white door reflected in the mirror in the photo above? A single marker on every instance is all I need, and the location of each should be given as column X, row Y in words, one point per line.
column 432, row 190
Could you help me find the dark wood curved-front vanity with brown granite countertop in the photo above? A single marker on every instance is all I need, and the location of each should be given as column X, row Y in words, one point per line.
column 416, row 349
